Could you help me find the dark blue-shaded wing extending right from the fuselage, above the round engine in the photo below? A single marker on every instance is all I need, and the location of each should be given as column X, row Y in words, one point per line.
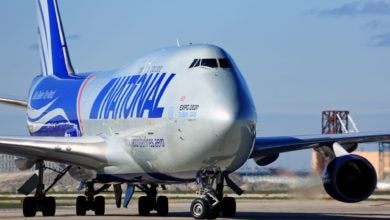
column 274, row 145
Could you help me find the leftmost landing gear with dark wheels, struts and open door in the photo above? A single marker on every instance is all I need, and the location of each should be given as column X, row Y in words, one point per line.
column 40, row 202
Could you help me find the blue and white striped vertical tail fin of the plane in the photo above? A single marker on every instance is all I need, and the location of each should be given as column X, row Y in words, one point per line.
column 55, row 59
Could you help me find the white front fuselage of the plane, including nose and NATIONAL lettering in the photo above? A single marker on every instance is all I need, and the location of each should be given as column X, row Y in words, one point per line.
column 165, row 119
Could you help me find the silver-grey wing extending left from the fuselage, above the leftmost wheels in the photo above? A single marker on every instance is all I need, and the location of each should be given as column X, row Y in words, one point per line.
column 88, row 152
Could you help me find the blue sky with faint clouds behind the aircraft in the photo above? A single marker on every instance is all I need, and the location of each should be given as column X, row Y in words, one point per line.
column 299, row 57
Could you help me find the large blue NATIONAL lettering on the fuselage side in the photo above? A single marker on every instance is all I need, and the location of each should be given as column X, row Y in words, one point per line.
column 131, row 96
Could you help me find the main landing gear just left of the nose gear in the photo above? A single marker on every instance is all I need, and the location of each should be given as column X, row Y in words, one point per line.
column 151, row 202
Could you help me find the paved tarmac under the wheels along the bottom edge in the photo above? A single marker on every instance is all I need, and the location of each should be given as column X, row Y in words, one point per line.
column 246, row 209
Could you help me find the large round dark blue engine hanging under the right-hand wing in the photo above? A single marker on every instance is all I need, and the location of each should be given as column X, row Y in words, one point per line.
column 350, row 178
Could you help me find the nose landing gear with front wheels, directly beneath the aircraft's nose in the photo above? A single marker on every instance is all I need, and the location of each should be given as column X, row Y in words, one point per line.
column 212, row 203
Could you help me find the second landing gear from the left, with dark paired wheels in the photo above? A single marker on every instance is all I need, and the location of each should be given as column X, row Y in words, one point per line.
column 90, row 201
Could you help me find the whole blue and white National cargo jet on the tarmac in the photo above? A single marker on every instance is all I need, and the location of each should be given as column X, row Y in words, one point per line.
column 175, row 115
